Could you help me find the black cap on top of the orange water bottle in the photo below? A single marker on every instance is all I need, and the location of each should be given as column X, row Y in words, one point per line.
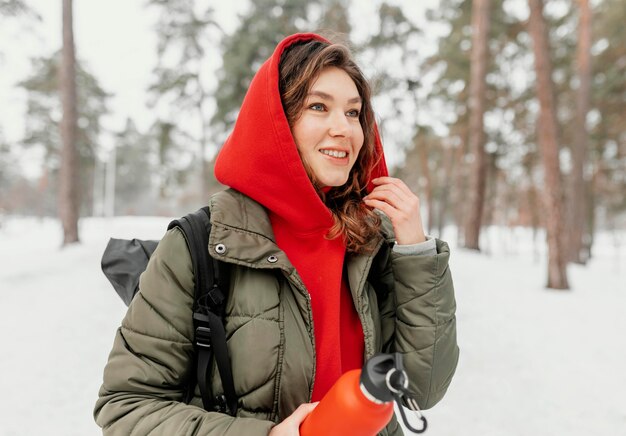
column 375, row 376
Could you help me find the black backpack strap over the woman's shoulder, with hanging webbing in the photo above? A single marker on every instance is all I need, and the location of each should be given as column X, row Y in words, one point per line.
column 210, row 289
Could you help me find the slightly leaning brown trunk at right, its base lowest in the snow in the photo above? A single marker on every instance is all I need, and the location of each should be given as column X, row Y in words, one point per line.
column 547, row 136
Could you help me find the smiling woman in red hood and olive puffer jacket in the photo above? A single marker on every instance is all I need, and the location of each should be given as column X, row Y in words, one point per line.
column 319, row 282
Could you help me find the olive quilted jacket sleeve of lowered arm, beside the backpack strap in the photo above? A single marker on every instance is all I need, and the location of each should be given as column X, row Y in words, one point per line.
column 149, row 365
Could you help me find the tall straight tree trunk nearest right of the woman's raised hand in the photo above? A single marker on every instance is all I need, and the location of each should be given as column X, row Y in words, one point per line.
column 479, row 61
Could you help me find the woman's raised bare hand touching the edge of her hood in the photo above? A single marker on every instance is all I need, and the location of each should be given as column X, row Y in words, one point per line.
column 396, row 200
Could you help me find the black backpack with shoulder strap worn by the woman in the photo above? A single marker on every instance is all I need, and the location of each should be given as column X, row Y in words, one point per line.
column 123, row 261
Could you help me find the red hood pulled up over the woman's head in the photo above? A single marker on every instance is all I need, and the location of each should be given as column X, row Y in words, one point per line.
column 260, row 158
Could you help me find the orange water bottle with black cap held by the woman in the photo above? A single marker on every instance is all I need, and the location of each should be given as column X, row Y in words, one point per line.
column 360, row 403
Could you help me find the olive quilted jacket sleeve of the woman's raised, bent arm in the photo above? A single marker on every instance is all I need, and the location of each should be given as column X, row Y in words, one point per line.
column 418, row 320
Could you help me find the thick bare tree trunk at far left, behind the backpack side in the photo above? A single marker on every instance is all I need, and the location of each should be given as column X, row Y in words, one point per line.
column 68, row 176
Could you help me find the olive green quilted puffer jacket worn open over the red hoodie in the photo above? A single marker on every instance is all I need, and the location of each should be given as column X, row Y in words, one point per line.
column 406, row 305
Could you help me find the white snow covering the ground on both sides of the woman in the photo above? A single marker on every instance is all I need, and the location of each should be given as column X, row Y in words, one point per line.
column 533, row 361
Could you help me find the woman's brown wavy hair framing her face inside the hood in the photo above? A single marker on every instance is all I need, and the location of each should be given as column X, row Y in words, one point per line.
column 300, row 64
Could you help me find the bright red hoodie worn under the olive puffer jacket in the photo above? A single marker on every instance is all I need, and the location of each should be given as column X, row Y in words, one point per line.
column 260, row 159
